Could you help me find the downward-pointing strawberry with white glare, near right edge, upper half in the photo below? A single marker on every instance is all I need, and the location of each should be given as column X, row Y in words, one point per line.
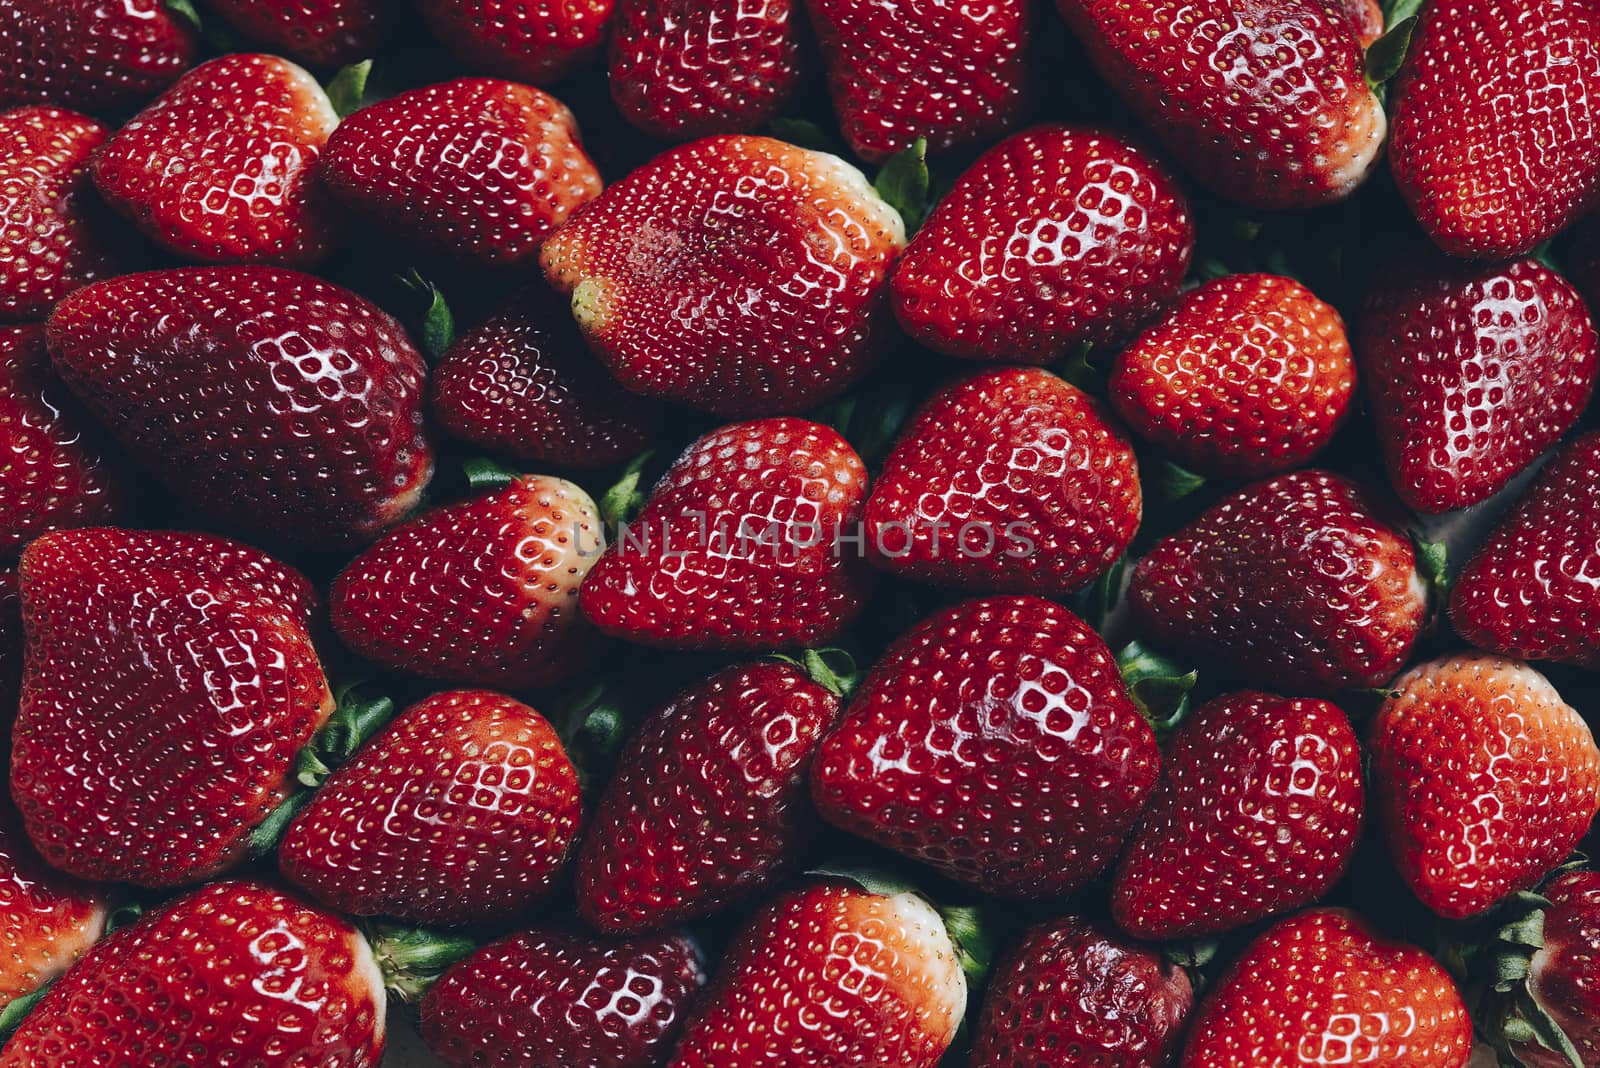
column 1473, row 372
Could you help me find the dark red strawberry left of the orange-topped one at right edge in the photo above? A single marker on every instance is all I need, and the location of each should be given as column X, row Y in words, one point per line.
column 1258, row 813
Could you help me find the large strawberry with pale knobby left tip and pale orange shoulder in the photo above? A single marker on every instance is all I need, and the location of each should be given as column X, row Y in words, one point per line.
column 740, row 276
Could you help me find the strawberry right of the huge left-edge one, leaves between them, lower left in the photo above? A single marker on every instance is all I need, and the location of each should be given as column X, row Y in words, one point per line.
column 479, row 811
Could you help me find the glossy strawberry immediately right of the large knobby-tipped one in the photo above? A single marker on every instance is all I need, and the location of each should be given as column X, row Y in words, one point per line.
column 1054, row 239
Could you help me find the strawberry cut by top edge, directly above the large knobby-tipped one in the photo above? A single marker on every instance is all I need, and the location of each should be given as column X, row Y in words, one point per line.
column 695, row 68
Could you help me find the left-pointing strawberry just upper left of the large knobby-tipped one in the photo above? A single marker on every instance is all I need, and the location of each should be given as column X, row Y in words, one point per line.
column 487, row 172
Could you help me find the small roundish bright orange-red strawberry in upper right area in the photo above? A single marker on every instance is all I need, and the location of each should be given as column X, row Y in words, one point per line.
column 1246, row 377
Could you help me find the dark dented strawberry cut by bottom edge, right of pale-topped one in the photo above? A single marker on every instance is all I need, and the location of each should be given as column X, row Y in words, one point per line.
column 1078, row 997
